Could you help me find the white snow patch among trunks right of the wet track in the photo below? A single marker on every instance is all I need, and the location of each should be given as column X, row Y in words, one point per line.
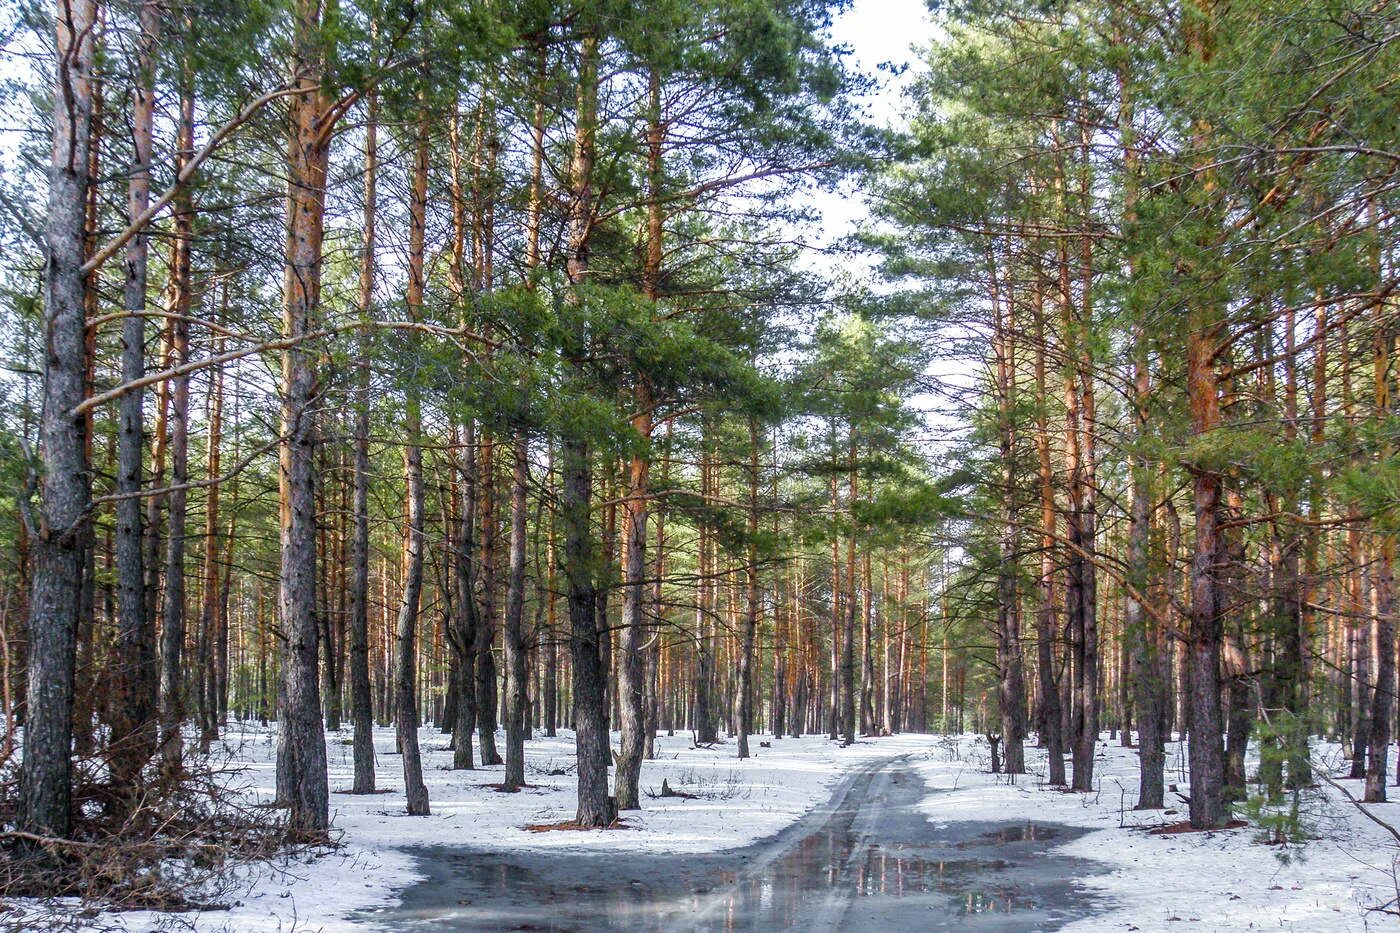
column 1220, row 882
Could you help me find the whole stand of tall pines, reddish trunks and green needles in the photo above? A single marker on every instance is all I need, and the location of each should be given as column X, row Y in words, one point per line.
column 489, row 366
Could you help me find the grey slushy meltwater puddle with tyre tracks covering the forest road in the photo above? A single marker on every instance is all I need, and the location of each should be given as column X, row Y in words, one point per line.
column 867, row 861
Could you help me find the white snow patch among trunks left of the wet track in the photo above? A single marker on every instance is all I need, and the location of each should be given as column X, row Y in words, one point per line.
column 737, row 803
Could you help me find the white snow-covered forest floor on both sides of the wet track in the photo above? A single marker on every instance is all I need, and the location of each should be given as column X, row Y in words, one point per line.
column 1224, row 880
